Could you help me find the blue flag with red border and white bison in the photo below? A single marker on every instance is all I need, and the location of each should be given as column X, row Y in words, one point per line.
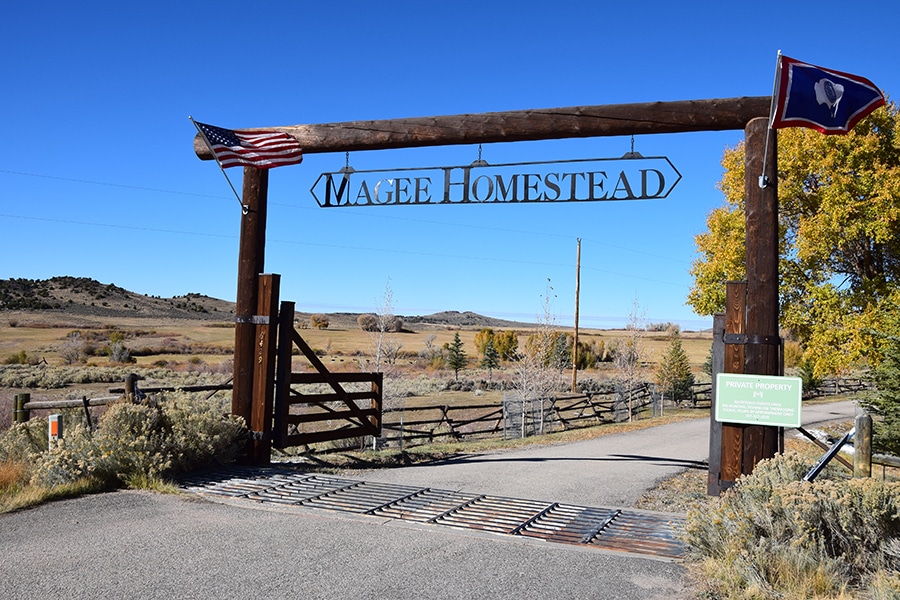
column 828, row 101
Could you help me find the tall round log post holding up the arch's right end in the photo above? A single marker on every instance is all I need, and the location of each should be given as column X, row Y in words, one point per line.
column 763, row 348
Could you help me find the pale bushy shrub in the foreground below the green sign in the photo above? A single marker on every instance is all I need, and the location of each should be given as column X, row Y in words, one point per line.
column 773, row 535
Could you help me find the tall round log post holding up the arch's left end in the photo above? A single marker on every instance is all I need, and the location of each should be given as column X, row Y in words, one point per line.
column 251, row 263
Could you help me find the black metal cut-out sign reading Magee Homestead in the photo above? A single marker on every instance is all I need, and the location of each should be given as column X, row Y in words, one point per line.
column 582, row 180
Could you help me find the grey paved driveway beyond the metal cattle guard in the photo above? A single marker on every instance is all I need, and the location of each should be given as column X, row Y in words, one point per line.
column 610, row 471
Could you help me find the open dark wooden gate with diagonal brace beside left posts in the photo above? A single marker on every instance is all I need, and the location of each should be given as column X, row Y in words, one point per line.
column 317, row 407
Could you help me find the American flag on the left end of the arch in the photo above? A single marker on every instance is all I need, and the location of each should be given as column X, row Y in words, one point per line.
column 263, row 149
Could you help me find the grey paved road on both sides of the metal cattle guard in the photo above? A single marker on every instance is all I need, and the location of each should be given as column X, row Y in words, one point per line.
column 143, row 545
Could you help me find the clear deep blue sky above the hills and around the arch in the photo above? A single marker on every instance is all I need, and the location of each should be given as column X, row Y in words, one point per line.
column 98, row 177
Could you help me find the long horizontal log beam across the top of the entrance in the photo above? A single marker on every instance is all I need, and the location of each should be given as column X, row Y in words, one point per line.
column 524, row 125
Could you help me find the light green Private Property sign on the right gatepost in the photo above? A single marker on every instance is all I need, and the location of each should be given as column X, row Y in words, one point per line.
column 758, row 399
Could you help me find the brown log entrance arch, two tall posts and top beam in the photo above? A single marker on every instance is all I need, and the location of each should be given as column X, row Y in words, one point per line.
column 734, row 449
